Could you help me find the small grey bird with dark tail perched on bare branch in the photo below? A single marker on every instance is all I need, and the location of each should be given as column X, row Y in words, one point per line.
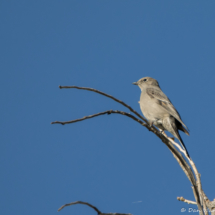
column 158, row 109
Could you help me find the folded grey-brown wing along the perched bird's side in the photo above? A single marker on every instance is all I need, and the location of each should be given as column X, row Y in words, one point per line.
column 163, row 100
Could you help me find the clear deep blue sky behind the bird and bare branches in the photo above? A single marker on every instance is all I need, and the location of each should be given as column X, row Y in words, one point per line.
column 109, row 161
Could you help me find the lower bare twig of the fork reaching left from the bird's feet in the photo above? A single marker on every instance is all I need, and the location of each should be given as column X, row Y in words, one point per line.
column 99, row 114
